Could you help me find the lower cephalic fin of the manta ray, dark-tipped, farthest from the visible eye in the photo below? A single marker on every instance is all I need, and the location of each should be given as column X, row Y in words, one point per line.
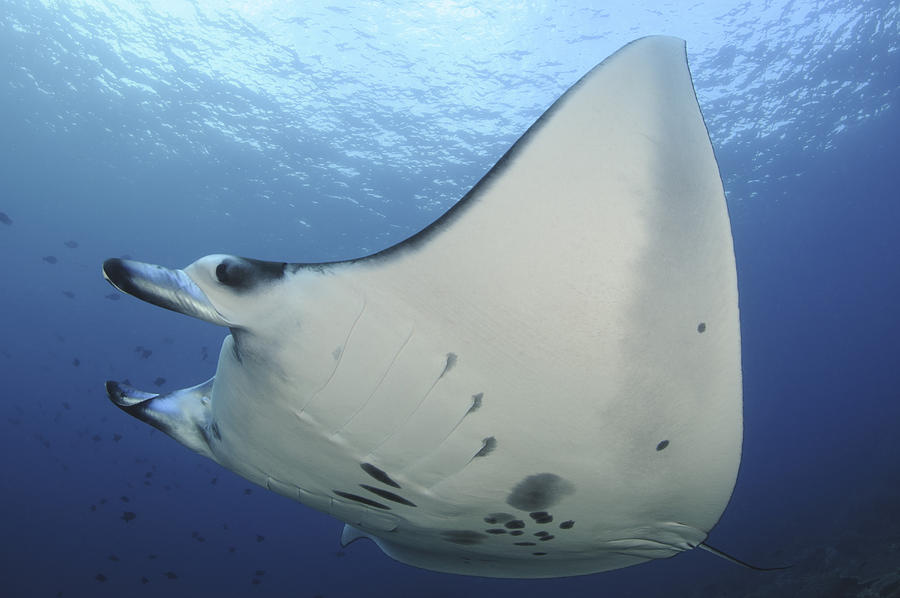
column 183, row 414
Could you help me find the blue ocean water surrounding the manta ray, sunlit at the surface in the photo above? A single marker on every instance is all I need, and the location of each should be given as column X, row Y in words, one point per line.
column 319, row 131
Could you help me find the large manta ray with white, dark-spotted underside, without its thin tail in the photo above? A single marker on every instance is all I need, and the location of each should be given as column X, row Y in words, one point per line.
column 544, row 382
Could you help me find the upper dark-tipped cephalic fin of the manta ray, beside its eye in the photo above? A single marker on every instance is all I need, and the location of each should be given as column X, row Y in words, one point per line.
column 171, row 289
